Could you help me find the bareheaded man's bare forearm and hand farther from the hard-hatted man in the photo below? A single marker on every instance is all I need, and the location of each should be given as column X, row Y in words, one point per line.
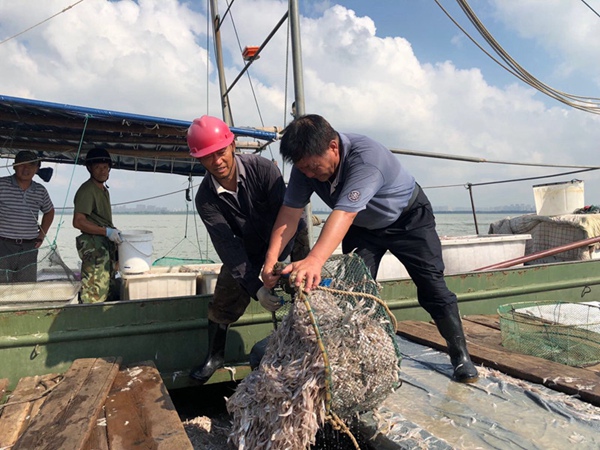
column 308, row 270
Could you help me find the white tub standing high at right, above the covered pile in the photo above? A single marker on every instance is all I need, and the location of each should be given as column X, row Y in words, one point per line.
column 556, row 199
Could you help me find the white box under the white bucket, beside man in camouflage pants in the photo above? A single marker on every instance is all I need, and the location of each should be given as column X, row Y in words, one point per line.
column 158, row 285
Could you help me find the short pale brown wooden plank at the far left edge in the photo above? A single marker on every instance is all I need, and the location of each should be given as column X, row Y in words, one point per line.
column 22, row 405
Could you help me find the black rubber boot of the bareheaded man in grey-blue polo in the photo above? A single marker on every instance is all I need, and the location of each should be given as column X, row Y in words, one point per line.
column 450, row 327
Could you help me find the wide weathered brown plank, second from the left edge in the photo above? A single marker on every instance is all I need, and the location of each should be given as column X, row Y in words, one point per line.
column 68, row 415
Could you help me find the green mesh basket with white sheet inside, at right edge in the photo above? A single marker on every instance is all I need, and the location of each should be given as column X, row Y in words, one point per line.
column 568, row 333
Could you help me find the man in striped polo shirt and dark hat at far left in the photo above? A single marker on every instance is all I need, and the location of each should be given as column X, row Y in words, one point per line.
column 21, row 234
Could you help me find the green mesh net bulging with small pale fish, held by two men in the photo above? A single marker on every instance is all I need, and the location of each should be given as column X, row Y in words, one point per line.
column 333, row 355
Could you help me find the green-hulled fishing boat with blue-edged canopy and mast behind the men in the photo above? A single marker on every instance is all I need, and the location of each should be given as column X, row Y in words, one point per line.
column 46, row 337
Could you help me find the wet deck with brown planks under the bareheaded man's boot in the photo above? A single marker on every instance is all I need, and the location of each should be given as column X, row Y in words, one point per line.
column 519, row 401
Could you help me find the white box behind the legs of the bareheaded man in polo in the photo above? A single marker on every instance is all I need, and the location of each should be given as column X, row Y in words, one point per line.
column 464, row 253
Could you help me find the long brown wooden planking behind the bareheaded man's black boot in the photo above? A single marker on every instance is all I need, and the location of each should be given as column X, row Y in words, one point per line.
column 570, row 380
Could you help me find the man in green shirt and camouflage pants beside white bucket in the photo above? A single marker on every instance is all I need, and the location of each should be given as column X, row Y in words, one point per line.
column 97, row 243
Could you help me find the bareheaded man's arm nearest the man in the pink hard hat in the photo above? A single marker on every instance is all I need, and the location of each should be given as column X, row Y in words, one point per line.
column 283, row 230
